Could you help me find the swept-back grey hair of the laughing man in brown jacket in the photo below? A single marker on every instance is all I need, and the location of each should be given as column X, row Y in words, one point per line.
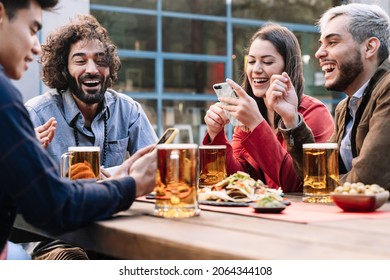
column 365, row 21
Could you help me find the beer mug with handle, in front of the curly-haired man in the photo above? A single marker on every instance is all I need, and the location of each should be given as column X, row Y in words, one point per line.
column 81, row 163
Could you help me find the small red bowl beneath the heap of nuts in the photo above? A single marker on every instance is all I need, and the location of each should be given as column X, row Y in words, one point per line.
column 360, row 202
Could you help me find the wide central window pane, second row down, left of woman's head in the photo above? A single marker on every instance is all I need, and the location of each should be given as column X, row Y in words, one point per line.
column 194, row 36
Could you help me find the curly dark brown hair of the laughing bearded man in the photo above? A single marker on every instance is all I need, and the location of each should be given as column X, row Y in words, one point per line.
column 56, row 50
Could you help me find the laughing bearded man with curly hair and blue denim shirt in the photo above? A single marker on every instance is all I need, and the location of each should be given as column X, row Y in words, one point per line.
column 80, row 63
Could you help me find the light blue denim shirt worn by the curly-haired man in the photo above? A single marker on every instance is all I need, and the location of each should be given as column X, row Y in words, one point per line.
column 128, row 128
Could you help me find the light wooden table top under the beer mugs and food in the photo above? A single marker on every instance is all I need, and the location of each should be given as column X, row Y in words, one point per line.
column 137, row 234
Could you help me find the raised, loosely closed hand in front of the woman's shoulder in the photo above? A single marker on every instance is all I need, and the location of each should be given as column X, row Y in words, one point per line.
column 281, row 96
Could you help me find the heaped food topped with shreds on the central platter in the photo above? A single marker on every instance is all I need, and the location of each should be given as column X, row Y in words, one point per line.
column 238, row 187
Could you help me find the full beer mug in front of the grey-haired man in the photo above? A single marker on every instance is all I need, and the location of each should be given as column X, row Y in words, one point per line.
column 321, row 171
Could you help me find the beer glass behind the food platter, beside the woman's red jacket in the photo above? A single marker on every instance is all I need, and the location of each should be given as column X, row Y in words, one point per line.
column 212, row 164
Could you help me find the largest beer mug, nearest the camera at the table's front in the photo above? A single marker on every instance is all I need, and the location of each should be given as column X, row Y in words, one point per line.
column 177, row 181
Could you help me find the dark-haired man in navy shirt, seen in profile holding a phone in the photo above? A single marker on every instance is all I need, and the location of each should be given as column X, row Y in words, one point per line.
column 29, row 180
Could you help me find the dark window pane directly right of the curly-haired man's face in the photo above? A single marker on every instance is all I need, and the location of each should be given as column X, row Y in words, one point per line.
column 136, row 74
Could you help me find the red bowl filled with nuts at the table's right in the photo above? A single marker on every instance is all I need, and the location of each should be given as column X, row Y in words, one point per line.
column 359, row 197
